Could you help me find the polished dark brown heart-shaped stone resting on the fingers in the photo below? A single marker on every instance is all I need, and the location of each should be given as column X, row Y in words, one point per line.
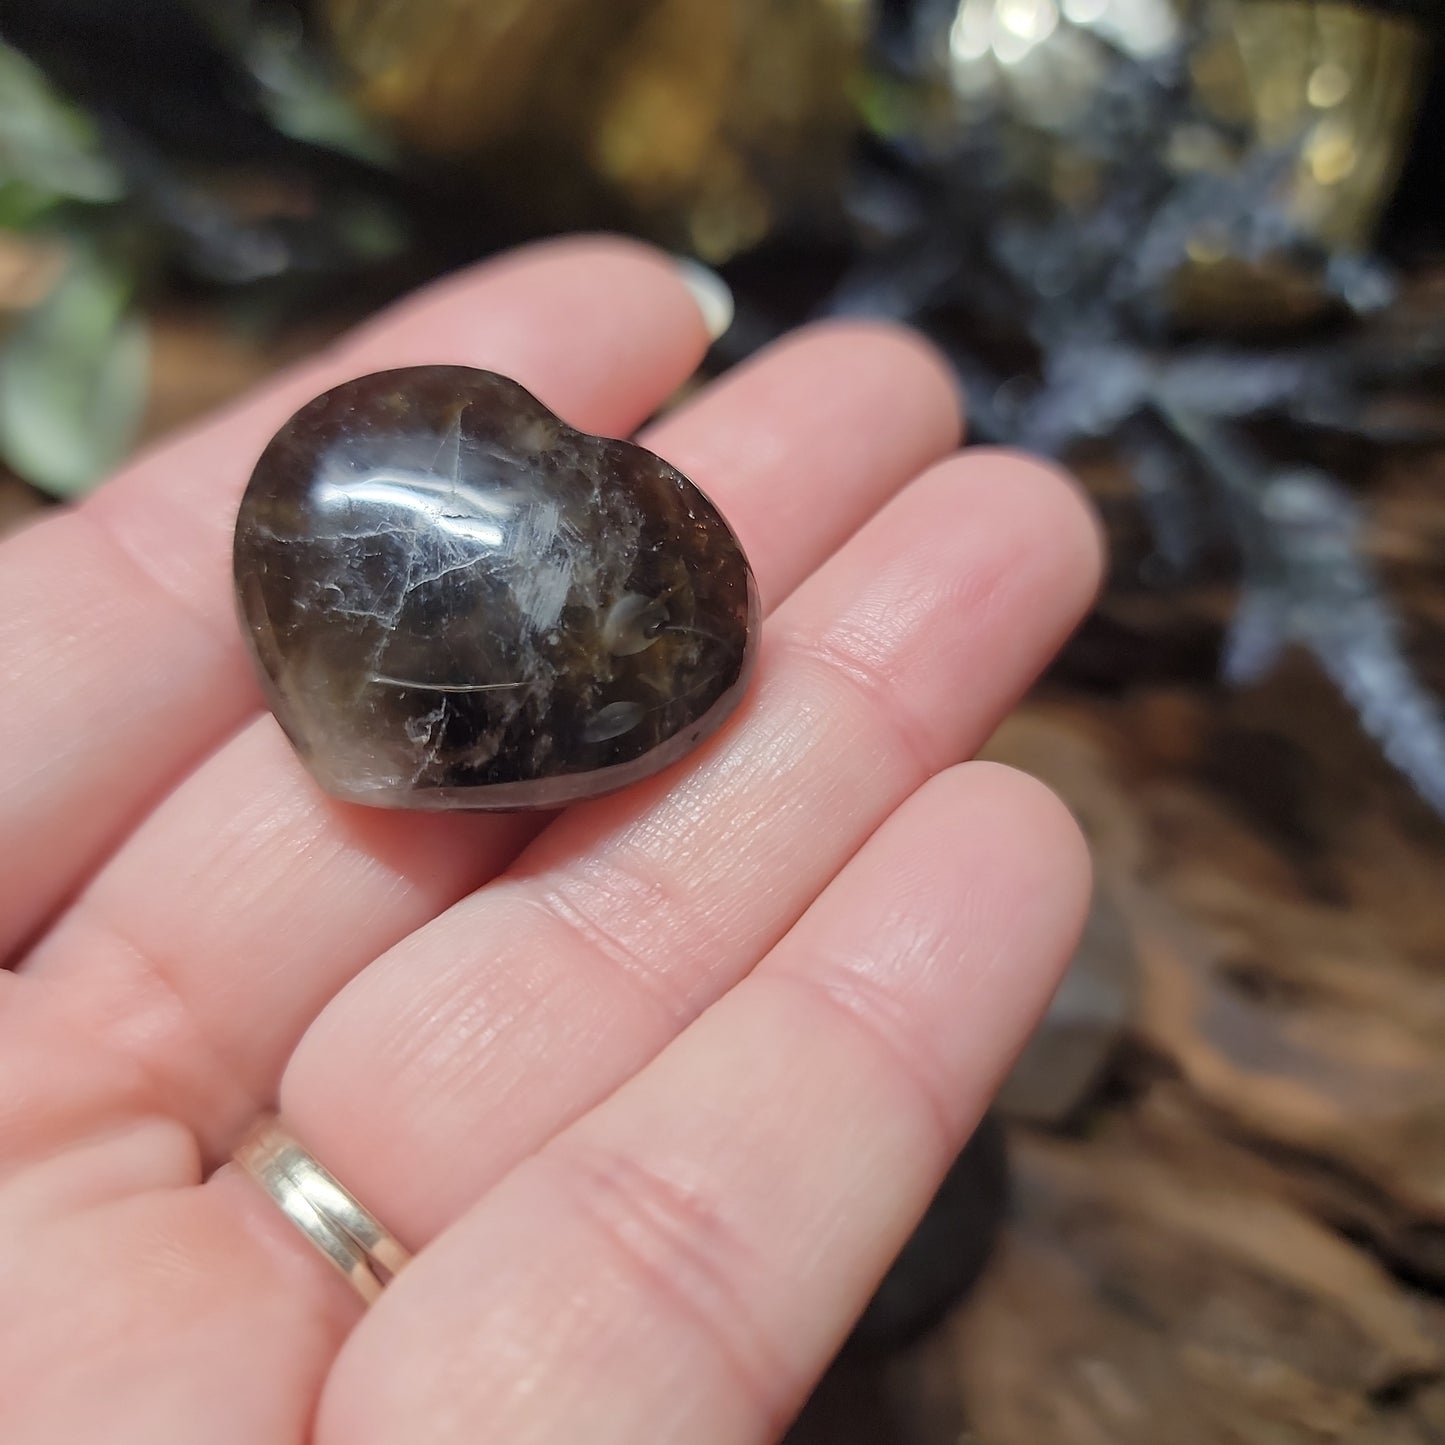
column 459, row 602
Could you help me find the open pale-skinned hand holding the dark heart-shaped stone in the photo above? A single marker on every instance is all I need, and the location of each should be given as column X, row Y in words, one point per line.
column 654, row 1092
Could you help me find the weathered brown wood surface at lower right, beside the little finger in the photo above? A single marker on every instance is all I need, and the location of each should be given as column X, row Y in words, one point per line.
column 1239, row 1239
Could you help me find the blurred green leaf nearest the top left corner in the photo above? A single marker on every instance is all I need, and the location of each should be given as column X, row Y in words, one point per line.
column 47, row 144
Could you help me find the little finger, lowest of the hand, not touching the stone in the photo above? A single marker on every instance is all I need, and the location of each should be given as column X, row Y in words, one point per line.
column 683, row 1262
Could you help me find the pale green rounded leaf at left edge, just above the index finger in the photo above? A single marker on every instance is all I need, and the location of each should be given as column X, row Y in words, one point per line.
column 74, row 375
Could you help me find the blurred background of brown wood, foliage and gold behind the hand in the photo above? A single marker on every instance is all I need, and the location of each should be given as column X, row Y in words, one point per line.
column 1194, row 248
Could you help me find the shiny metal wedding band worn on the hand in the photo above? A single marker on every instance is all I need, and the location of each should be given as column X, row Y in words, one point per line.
column 323, row 1209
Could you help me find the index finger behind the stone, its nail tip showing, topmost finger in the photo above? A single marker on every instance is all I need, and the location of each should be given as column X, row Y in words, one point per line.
column 121, row 663
